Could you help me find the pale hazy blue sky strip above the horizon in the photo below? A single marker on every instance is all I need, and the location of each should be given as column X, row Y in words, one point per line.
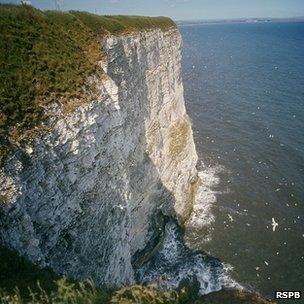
column 182, row 9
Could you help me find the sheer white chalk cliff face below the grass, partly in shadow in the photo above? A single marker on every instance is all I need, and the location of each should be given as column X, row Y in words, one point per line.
column 89, row 194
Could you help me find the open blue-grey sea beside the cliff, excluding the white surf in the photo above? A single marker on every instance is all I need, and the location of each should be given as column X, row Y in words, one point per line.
column 244, row 91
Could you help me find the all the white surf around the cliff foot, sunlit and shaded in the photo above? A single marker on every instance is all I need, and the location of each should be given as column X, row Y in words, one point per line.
column 175, row 263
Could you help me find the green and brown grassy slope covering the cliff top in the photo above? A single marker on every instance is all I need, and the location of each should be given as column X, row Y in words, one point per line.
column 48, row 55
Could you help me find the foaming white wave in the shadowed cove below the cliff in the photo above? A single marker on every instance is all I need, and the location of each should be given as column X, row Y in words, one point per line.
column 175, row 263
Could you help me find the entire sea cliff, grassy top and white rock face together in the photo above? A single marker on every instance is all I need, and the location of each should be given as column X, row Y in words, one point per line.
column 89, row 175
